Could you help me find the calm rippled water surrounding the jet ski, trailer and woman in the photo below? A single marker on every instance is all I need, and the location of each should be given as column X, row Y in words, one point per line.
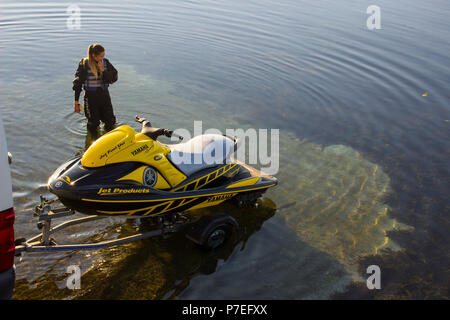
column 364, row 123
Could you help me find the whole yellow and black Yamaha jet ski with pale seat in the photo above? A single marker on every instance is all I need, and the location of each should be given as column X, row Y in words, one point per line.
column 129, row 173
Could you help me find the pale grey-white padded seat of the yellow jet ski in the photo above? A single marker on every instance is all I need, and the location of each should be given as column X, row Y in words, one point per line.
column 203, row 151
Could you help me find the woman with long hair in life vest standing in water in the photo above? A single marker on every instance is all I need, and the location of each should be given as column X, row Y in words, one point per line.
column 95, row 73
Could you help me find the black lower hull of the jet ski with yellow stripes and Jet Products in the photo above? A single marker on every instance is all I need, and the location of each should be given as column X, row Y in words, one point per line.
column 118, row 189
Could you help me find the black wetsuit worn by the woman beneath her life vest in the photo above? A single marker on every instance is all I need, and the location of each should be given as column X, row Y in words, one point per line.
column 97, row 104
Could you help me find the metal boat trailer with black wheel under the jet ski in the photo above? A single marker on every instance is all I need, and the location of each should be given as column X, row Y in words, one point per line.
column 209, row 232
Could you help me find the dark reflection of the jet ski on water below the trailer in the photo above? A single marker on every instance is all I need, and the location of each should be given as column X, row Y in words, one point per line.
column 162, row 268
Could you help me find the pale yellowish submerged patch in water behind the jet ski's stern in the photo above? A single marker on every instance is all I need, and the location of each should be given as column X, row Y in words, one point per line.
column 338, row 198
